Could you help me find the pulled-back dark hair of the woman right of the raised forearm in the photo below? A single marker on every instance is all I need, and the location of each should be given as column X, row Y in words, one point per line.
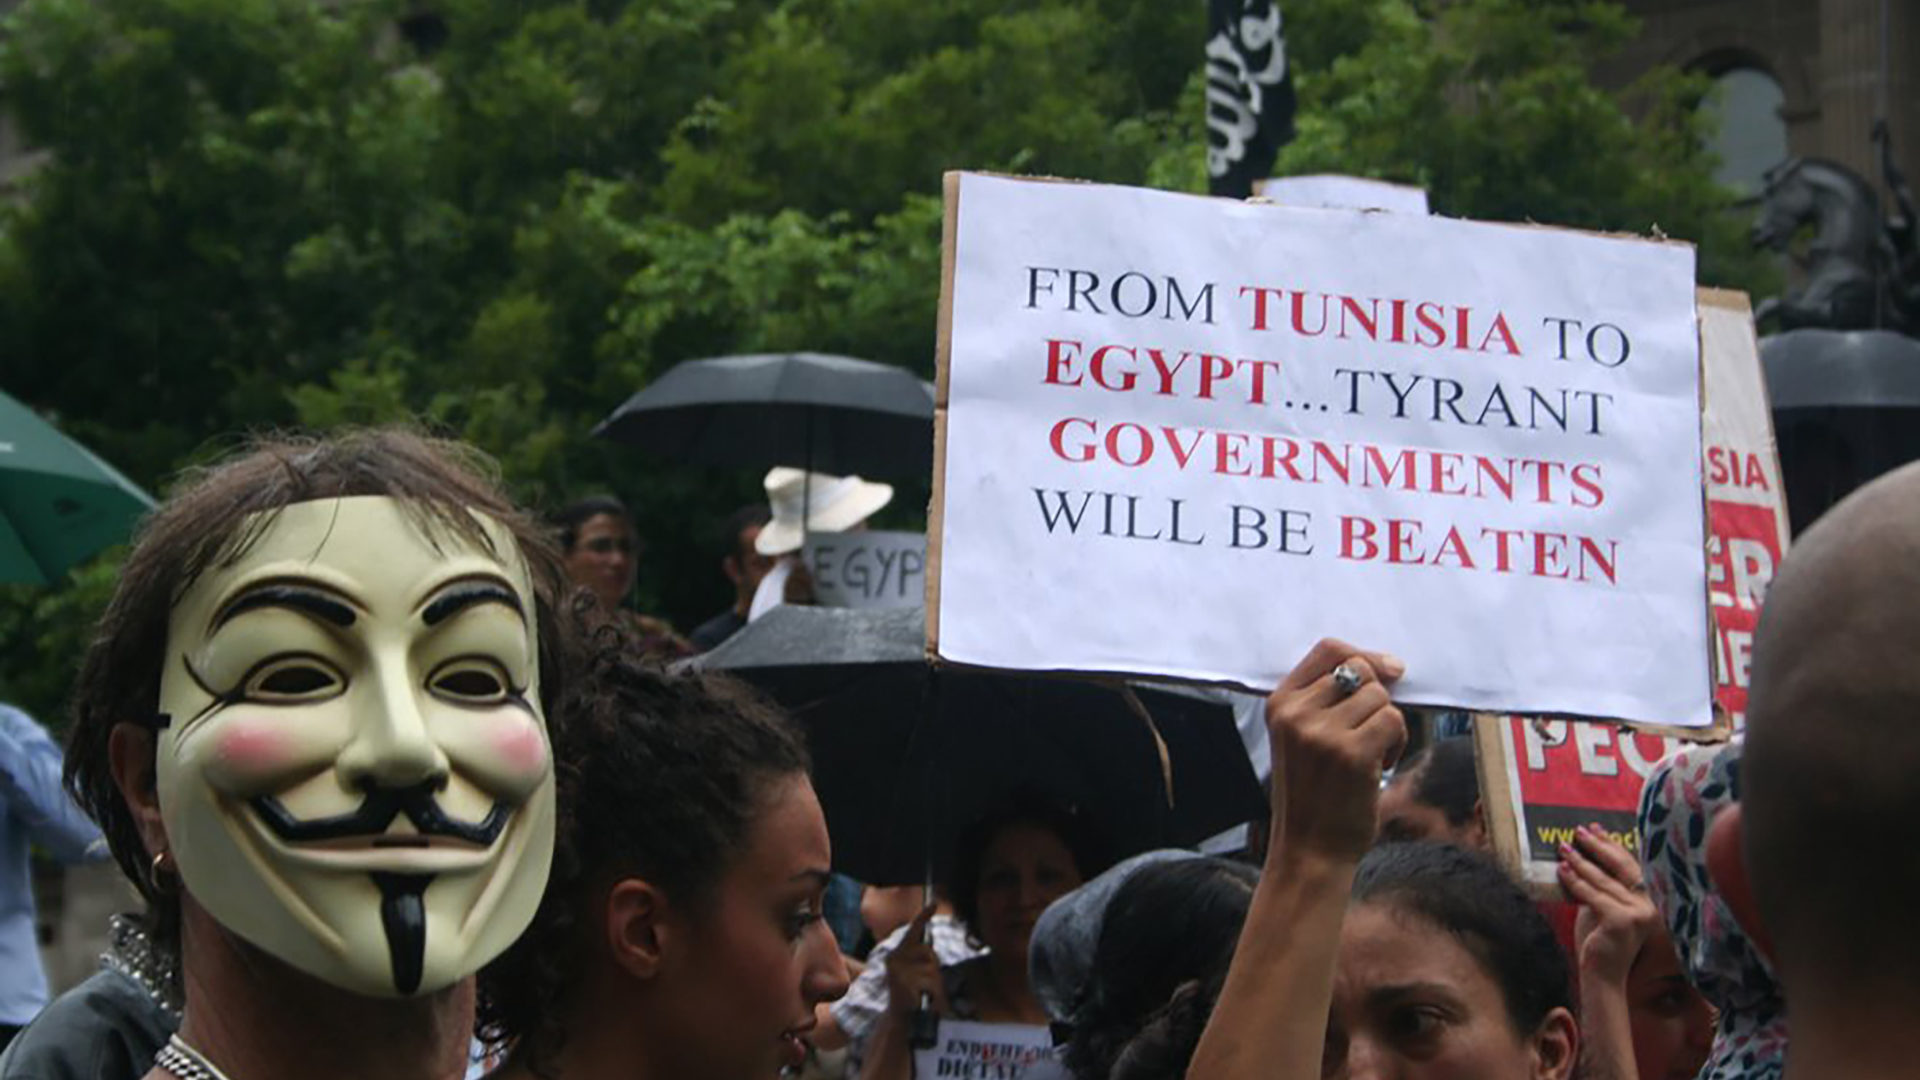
column 1474, row 900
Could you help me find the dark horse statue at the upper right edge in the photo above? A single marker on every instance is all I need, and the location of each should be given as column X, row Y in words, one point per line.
column 1858, row 276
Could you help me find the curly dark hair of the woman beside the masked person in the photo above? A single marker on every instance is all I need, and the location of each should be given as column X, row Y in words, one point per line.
column 663, row 779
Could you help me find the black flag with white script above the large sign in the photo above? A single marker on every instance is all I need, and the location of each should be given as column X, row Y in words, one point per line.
column 1249, row 95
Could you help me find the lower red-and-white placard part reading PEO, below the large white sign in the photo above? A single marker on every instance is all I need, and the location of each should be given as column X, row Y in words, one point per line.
column 1543, row 779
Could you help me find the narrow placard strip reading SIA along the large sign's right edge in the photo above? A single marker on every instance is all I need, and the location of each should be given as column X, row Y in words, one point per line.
column 1746, row 501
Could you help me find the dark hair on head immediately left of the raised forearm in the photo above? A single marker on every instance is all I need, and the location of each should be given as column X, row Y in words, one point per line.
column 1168, row 925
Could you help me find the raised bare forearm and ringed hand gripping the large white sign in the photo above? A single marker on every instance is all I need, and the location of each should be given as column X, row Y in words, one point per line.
column 1330, row 750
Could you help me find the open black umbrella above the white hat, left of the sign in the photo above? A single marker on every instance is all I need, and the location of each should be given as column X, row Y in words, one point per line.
column 821, row 412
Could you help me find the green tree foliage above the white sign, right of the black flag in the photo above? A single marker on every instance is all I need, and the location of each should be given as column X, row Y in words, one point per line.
column 1489, row 107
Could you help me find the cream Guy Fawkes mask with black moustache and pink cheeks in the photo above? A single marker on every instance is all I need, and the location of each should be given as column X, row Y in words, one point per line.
column 356, row 772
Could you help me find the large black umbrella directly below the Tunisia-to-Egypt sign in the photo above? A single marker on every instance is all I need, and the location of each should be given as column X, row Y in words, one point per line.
column 907, row 754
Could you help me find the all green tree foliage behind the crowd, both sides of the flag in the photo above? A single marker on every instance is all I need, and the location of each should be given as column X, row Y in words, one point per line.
column 279, row 212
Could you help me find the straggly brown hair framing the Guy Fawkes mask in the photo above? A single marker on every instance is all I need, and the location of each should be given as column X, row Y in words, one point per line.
column 210, row 522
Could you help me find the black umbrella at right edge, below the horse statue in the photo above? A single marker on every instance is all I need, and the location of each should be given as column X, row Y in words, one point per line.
column 1846, row 410
